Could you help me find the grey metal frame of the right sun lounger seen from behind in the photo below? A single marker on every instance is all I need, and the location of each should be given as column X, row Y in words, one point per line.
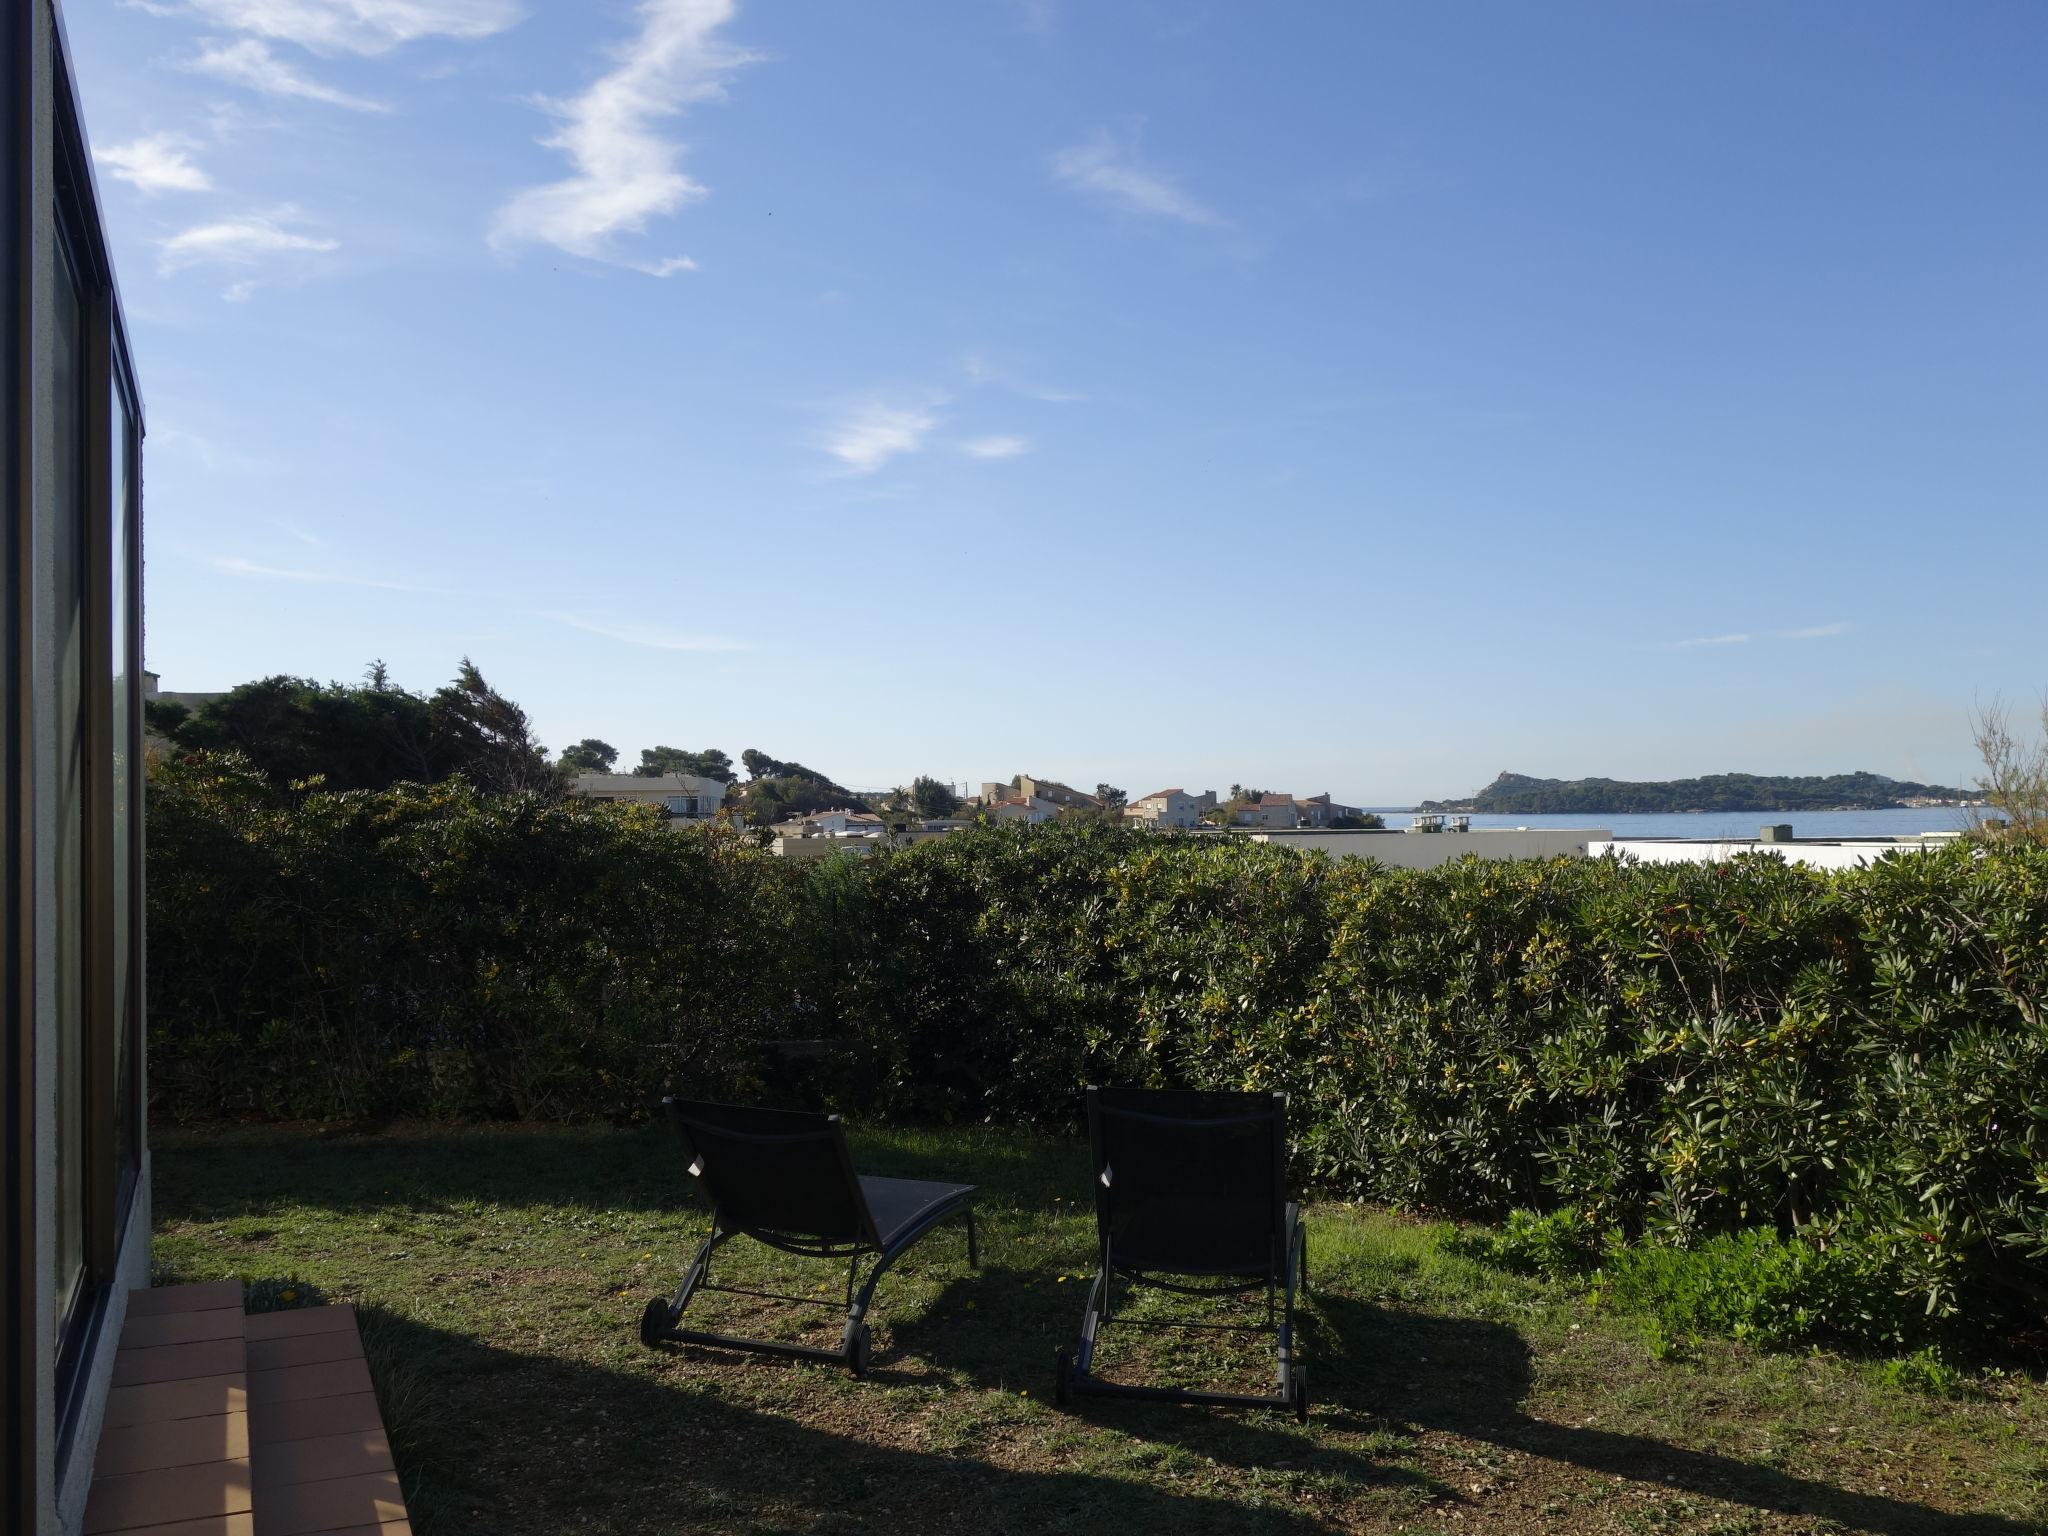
column 1283, row 1283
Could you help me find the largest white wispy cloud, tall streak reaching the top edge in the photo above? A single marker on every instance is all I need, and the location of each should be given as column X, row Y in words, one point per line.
column 626, row 173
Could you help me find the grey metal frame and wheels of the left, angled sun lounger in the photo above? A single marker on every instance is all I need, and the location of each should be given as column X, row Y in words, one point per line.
column 660, row 1324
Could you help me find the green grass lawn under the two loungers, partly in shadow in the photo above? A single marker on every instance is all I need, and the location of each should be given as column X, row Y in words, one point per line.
column 505, row 1273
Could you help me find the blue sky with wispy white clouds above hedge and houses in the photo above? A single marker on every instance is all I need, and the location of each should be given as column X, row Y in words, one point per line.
column 1357, row 398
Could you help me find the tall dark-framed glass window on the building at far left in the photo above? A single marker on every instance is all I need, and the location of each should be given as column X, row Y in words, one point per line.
column 89, row 523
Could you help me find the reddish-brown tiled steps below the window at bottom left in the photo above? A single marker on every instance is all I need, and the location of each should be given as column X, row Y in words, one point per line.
column 224, row 1424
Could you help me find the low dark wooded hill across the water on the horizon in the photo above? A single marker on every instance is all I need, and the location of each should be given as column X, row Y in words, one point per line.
column 1523, row 796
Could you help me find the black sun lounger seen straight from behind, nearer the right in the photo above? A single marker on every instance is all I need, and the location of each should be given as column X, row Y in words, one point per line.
column 1191, row 1197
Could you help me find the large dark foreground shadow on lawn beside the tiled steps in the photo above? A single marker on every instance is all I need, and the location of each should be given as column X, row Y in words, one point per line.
column 499, row 1441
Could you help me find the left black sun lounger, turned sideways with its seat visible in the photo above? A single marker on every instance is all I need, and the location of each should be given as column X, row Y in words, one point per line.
column 787, row 1181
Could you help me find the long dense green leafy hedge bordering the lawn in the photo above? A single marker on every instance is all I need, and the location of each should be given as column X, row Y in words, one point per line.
column 1674, row 1050
